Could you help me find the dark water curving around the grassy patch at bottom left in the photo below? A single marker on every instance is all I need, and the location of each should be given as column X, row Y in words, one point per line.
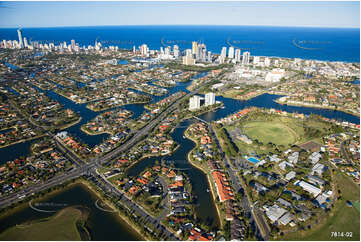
column 102, row 225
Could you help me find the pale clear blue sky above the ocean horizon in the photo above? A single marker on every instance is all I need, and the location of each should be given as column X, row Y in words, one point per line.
column 53, row 14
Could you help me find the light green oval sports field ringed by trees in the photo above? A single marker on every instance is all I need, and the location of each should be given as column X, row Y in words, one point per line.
column 275, row 132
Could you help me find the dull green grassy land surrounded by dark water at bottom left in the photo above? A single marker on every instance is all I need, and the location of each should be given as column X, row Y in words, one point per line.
column 61, row 226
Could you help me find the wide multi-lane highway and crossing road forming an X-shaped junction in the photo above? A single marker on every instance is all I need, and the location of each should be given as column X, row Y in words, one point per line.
column 90, row 168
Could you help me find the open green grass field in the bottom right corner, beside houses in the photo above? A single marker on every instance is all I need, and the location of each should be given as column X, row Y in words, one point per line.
column 341, row 218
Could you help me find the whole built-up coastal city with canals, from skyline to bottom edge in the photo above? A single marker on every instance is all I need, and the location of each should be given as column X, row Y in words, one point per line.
column 169, row 147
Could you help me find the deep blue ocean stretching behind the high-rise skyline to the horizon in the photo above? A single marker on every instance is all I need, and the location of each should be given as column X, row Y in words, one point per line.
column 332, row 44
